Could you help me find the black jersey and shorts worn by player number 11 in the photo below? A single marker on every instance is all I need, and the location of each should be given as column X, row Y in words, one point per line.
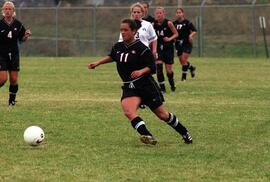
column 129, row 58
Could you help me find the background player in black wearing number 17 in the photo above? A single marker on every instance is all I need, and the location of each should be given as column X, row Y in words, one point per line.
column 183, row 44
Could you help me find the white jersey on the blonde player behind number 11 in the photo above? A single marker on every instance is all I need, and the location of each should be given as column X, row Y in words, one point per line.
column 146, row 33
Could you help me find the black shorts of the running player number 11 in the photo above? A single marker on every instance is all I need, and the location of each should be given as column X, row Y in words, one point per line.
column 147, row 89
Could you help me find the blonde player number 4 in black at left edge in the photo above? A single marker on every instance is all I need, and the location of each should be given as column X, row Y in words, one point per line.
column 12, row 32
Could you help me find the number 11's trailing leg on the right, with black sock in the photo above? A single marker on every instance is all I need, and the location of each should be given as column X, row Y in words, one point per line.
column 174, row 122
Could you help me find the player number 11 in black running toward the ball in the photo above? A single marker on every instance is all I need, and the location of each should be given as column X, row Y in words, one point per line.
column 135, row 66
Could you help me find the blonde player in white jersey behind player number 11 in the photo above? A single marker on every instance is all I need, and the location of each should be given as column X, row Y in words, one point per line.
column 146, row 32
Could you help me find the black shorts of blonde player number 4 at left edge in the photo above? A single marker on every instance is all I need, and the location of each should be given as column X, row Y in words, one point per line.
column 9, row 62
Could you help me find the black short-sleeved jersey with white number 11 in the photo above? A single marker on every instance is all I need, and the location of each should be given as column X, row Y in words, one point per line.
column 131, row 57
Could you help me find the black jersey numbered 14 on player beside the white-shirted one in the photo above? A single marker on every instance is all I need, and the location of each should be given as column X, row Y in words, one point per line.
column 163, row 30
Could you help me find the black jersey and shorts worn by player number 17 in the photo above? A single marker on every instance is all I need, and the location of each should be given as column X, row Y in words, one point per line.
column 184, row 28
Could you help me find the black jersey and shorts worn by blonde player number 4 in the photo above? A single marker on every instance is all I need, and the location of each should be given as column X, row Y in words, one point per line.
column 10, row 37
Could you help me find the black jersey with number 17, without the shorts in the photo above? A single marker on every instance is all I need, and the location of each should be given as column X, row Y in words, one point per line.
column 184, row 28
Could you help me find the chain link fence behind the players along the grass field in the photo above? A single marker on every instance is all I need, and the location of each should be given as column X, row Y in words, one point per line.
column 223, row 30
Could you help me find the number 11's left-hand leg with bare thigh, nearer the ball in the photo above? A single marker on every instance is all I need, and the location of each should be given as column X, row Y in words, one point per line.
column 130, row 106
